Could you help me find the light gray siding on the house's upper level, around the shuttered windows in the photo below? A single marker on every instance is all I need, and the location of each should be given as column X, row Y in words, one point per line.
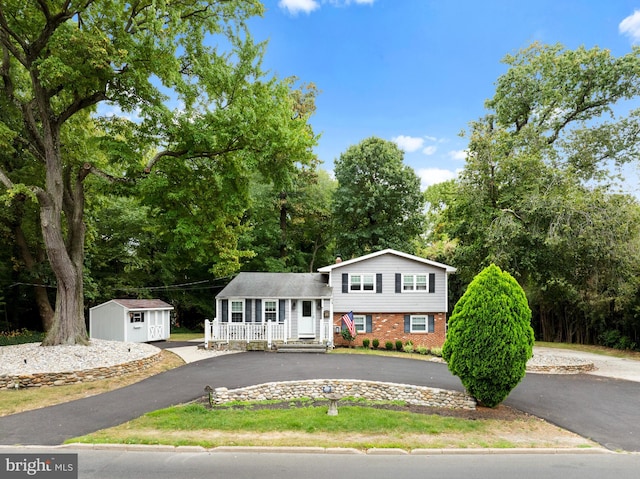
column 388, row 301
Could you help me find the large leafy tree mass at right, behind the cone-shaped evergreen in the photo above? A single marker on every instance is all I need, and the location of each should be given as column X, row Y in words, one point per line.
column 537, row 196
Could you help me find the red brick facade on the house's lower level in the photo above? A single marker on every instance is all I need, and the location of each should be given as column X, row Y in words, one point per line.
column 390, row 327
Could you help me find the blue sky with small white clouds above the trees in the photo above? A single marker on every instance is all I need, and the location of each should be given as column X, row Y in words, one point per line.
column 418, row 71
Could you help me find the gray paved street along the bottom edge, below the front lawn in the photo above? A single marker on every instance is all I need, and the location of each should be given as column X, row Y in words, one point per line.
column 233, row 465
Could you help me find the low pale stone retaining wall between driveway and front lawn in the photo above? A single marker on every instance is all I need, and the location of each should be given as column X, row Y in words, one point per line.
column 370, row 390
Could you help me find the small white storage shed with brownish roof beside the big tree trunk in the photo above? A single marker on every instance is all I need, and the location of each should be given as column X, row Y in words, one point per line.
column 135, row 320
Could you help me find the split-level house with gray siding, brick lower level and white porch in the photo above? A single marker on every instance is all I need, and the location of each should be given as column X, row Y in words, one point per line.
column 392, row 296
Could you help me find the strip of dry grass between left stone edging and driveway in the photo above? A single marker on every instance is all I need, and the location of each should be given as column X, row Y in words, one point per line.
column 14, row 401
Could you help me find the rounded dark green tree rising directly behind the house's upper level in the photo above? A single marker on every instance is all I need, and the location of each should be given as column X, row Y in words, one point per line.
column 378, row 203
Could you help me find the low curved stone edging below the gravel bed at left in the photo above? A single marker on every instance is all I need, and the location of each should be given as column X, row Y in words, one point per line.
column 75, row 377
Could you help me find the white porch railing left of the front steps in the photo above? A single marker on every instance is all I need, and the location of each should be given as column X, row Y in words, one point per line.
column 226, row 332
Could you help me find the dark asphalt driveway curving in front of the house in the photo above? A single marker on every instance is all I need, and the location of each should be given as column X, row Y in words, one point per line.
column 602, row 409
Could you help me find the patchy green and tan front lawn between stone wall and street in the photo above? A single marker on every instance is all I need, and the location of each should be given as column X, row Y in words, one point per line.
column 359, row 427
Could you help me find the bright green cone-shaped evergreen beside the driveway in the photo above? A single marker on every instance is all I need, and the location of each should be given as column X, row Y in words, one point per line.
column 489, row 338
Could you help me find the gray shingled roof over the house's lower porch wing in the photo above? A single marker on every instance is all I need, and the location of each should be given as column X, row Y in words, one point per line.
column 277, row 285
